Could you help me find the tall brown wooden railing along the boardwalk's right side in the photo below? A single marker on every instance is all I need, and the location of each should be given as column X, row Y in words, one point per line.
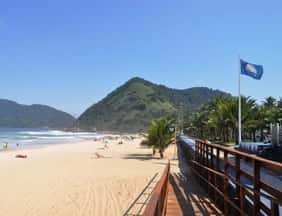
column 220, row 169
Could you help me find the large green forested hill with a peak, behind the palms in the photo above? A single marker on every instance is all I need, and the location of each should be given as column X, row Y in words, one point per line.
column 132, row 106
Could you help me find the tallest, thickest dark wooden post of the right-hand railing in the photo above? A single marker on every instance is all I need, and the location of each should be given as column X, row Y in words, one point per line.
column 256, row 182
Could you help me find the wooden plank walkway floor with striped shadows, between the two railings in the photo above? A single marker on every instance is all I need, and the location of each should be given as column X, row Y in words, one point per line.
column 185, row 196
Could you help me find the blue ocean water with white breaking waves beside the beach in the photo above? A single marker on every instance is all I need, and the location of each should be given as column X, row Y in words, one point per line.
column 20, row 138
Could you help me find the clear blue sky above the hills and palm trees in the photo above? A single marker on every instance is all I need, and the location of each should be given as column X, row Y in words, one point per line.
column 70, row 54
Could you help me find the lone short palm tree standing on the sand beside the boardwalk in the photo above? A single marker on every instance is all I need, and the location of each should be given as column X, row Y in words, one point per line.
column 160, row 135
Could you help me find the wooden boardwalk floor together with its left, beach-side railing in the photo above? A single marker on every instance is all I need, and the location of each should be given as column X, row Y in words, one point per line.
column 184, row 194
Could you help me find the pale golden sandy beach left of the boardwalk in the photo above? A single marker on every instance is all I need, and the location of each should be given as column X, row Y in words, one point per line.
column 85, row 178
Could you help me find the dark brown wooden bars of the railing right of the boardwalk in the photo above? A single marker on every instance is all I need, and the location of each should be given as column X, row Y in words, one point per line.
column 207, row 167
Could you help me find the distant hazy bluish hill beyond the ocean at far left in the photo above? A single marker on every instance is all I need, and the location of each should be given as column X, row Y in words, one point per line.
column 16, row 115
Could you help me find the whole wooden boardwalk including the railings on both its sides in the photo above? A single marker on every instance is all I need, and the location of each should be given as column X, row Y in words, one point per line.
column 179, row 191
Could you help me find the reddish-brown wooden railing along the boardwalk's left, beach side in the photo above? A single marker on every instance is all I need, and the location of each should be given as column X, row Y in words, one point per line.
column 158, row 201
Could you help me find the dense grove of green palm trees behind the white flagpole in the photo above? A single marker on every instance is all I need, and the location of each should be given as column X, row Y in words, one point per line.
column 219, row 118
